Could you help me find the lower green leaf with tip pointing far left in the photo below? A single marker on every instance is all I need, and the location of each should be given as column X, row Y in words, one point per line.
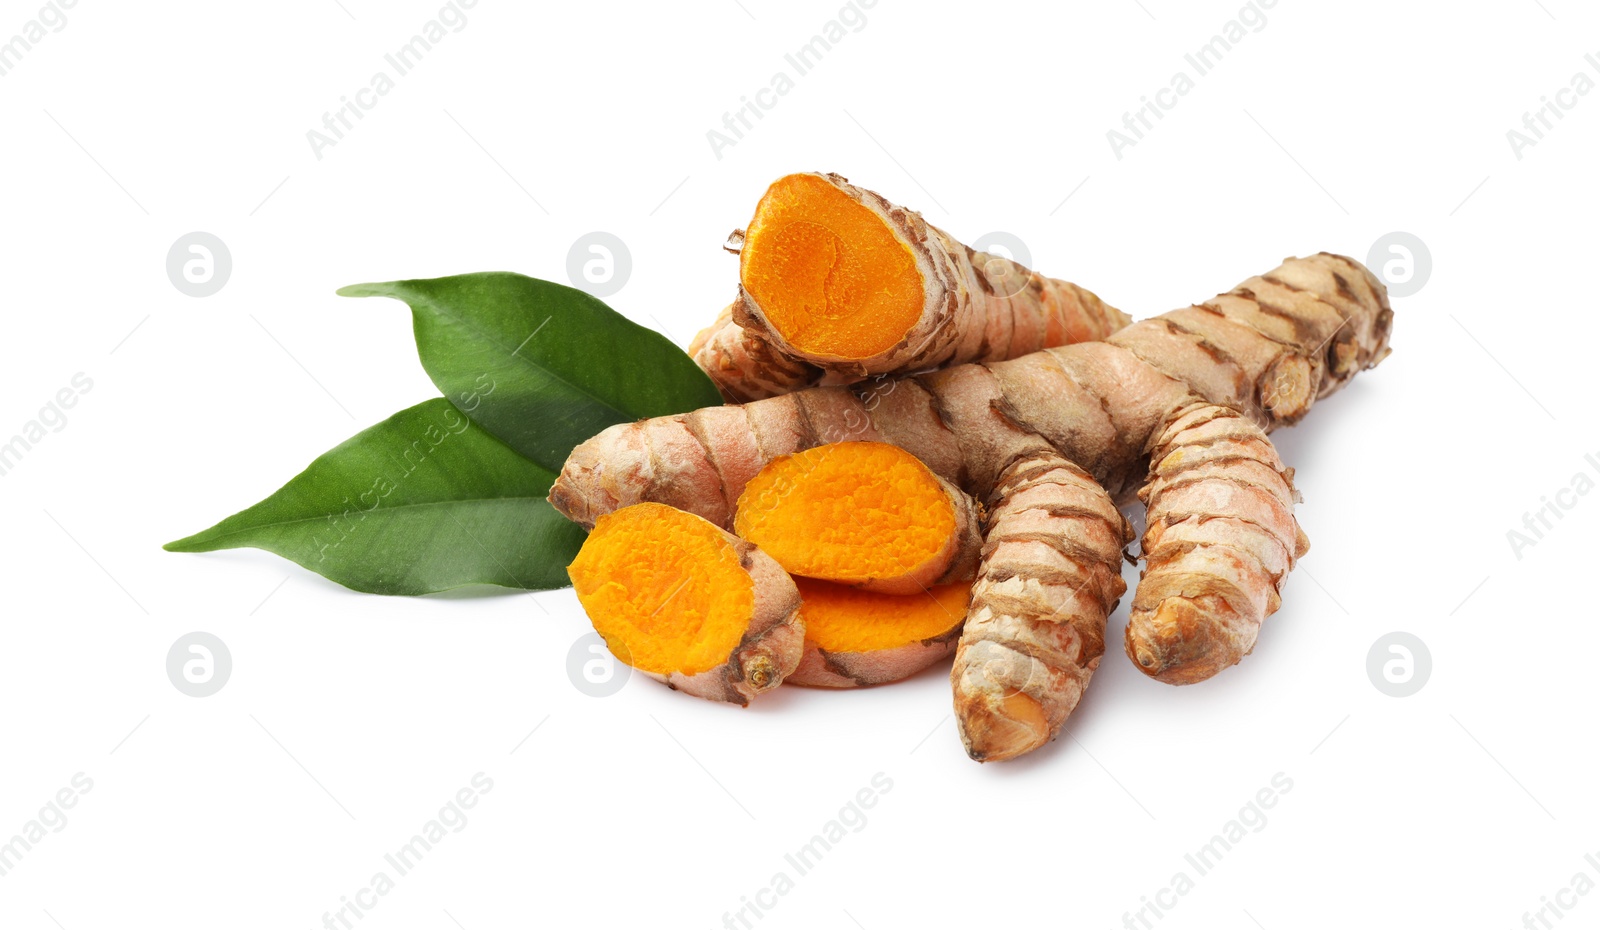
column 423, row 502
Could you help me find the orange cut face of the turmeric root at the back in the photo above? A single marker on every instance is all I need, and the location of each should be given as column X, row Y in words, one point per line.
column 828, row 273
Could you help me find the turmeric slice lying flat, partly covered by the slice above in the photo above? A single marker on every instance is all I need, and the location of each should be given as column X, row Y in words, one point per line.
column 857, row 638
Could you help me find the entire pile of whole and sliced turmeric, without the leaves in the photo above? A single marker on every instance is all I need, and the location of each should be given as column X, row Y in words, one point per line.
column 924, row 452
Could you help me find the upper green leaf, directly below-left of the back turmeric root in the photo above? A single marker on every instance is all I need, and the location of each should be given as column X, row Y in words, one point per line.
column 543, row 366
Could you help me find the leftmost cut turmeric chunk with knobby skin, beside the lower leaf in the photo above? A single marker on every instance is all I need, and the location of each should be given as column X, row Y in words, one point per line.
column 689, row 604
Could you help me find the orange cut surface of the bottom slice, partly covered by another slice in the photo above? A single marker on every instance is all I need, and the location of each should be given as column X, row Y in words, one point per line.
column 849, row 620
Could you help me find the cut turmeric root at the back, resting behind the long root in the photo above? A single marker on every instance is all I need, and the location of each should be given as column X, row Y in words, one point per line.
column 838, row 284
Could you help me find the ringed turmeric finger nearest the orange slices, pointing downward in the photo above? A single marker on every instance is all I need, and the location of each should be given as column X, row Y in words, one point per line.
column 1036, row 631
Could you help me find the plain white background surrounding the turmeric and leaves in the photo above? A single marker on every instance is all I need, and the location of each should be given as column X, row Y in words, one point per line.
column 351, row 720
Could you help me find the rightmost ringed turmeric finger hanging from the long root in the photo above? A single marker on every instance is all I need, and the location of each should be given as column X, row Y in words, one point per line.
column 1222, row 539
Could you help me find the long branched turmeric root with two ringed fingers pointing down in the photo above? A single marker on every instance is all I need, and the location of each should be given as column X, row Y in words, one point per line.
column 1223, row 372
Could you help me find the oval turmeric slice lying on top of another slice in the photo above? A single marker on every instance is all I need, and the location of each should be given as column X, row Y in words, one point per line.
column 866, row 515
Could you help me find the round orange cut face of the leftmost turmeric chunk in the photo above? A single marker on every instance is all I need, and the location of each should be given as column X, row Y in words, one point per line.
column 665, row 588
